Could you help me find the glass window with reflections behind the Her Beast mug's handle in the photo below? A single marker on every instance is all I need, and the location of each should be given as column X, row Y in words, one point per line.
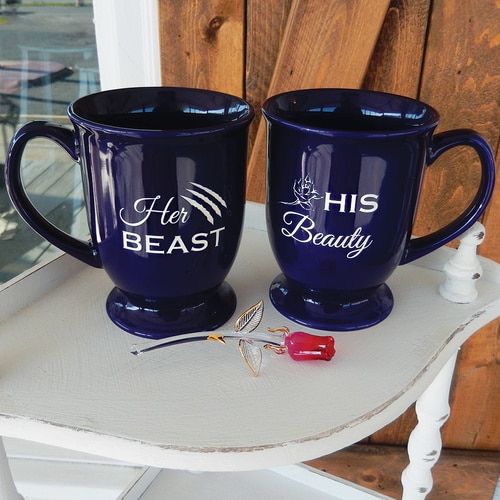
column 48, row 58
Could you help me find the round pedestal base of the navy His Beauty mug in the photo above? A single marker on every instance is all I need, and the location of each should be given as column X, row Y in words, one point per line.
column 322, row 311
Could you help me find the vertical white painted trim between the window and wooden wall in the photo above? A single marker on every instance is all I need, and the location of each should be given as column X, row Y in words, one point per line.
column 128, row 43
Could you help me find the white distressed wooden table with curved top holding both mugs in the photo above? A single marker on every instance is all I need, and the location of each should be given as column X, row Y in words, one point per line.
column 67, row 377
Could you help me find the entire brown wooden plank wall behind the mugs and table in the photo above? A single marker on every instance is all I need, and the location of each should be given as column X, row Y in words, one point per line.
column 445, row 52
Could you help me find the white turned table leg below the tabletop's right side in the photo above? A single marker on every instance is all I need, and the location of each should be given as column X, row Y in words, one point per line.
column 424, row 444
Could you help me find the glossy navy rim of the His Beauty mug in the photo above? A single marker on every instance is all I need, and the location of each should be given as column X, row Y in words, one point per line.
column 272, row 116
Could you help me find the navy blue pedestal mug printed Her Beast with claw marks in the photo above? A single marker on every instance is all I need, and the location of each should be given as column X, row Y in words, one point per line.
column 164, row 184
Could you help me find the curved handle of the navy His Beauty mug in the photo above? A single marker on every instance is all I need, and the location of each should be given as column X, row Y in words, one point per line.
column 418, row 247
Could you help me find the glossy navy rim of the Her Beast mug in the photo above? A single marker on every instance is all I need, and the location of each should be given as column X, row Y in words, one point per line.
column 241, row 121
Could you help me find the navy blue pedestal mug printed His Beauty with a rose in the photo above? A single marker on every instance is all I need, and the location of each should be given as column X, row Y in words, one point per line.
column 344, row 174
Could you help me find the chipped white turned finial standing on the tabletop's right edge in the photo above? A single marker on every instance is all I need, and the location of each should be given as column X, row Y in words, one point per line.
column 464, row 269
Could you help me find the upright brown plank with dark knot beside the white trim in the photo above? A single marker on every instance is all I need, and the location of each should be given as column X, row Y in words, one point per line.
column 202, row 44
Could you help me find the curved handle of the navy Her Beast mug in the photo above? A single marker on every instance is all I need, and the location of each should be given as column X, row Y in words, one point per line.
column 86, row 252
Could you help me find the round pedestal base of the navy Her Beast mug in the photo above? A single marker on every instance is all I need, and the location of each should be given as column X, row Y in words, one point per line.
column 158, row 319
